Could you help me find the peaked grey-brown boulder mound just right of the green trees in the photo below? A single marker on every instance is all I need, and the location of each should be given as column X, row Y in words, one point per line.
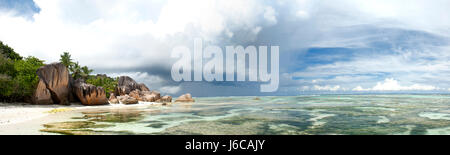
column 126, row 84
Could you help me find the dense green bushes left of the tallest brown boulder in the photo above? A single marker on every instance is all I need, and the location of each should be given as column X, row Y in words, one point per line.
column 18, row 78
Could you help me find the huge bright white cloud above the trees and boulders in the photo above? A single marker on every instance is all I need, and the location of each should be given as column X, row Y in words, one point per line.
column 130, row 34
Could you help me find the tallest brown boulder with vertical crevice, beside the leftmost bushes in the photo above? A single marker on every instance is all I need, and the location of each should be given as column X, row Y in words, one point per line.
column 55, row 78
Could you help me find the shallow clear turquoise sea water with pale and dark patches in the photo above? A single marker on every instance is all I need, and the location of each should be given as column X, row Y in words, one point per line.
column 295, row 115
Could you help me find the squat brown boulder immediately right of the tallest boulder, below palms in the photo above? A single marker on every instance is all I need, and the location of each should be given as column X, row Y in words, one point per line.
column 89, row 94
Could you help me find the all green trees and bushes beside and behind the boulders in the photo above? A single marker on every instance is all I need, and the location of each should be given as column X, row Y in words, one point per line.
column 18, row 78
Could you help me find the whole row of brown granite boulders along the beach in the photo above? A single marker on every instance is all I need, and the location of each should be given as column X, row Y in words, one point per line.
column 56, row 86
